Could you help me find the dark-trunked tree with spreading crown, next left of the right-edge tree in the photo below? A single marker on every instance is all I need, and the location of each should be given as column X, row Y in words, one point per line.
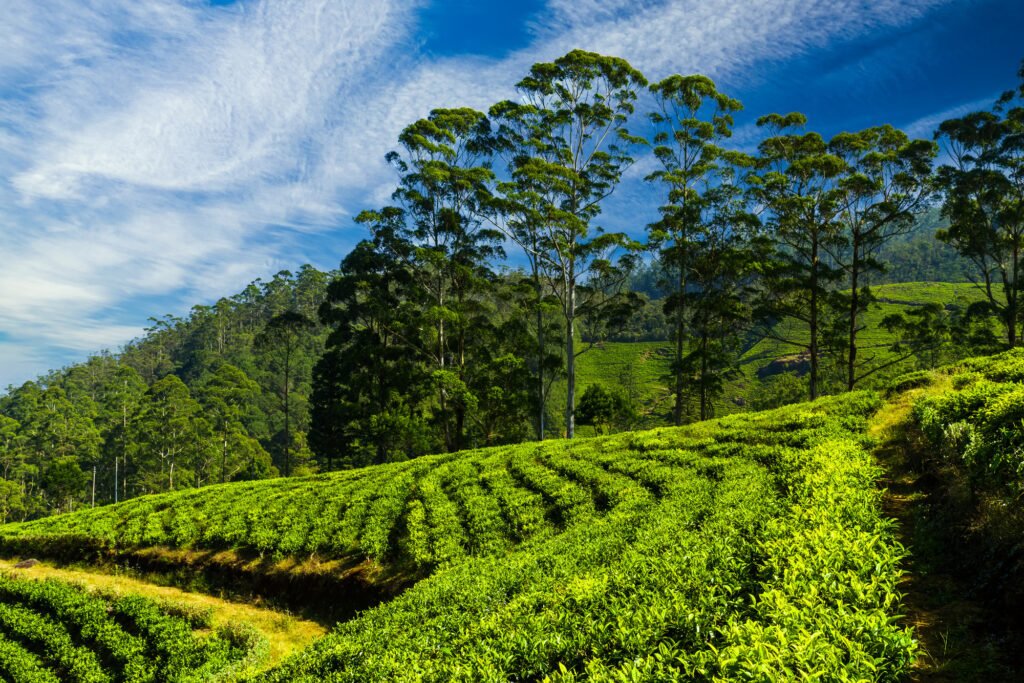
column 887, row 183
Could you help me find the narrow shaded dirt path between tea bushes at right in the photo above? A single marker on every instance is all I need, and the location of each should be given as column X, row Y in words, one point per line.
column 955, row 630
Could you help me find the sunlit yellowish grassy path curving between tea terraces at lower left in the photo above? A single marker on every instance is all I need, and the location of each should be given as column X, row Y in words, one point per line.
column 288, row 634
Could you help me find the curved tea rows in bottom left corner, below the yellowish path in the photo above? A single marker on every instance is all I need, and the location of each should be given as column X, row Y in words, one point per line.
column 55, row 631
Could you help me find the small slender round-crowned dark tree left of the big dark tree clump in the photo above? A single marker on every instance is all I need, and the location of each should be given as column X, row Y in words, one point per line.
column 283, row 339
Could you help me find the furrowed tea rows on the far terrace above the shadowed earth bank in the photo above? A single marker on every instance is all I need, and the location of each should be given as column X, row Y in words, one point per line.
column 425, row 513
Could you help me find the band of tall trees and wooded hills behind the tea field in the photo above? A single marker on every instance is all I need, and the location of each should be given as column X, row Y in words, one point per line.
column 462, row 318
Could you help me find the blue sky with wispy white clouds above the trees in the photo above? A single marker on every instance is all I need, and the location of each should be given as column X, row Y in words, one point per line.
column 161, row 154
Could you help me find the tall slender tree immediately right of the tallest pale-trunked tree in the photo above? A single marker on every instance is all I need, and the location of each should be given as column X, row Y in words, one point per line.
column 692, row 120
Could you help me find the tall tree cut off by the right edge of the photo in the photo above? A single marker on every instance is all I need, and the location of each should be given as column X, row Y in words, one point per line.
column 984, row 199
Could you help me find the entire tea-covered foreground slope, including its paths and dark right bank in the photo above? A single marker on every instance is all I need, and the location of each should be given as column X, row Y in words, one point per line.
column 756, row 546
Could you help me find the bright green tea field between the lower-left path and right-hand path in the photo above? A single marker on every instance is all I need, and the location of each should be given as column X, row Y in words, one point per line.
column 625, row 557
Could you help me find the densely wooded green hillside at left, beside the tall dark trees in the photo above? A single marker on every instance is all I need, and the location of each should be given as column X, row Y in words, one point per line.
column 100, row 413
